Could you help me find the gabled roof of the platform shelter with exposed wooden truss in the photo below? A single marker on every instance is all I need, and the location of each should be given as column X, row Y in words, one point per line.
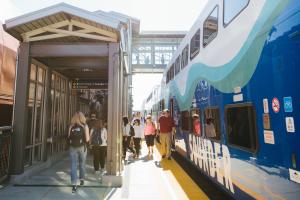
column 66, row 23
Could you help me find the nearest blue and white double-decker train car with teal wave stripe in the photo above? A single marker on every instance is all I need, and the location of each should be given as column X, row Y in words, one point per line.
column 233, row 87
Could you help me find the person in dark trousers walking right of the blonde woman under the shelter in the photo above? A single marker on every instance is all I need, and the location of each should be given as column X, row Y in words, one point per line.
column 99, row 144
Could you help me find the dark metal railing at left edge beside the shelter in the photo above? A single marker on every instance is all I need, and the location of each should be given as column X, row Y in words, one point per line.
column 5, row 151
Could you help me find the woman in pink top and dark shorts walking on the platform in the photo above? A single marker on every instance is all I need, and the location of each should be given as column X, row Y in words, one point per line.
column 149, row 133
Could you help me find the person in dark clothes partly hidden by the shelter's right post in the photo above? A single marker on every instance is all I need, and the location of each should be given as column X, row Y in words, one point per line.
column 127, row 133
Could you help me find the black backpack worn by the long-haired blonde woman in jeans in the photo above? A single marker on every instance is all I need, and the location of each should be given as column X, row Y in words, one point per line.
column 77, row 136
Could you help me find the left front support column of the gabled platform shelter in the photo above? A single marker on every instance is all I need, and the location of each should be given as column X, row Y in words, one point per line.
column 21, row 109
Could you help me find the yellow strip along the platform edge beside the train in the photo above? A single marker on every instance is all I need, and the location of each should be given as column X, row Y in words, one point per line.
column 180, row 180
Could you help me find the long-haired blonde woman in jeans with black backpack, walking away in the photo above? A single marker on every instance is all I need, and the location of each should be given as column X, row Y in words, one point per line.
column 78, row 137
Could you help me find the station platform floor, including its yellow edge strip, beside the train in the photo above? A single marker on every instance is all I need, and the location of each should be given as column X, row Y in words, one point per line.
column 143, row 178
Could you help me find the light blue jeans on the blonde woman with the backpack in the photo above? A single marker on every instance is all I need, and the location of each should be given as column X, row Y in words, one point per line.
column 77, row 154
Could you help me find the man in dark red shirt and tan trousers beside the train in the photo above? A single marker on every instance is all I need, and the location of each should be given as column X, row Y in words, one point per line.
column 166, row 126
